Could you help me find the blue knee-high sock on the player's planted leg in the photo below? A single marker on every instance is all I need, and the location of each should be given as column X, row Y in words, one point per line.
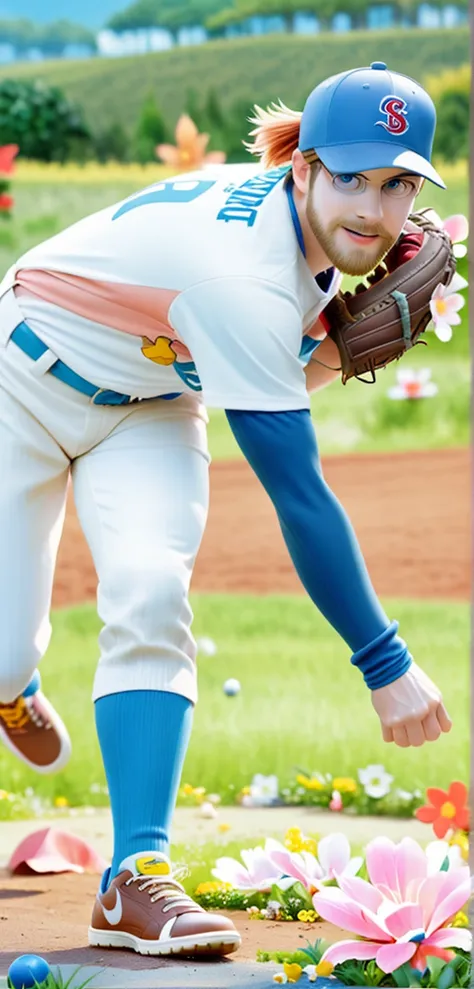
column 143, row 736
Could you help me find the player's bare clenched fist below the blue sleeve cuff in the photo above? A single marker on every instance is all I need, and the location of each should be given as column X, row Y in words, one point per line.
column 411, row 709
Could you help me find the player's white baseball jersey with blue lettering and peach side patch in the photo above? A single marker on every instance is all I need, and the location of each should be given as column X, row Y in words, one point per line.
column 196, row 284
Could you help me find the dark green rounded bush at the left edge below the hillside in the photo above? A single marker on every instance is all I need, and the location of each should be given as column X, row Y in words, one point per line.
column 41, row 121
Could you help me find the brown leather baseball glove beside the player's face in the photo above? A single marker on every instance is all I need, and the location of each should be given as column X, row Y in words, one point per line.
column 376, row 325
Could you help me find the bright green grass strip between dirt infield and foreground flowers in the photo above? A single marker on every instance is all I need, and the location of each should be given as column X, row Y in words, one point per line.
column 301, row 702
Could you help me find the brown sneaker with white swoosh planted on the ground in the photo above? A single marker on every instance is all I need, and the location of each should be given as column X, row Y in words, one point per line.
column 146, row 909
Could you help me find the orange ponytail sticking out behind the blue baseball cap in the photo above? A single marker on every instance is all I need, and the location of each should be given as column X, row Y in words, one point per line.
column 276, row 134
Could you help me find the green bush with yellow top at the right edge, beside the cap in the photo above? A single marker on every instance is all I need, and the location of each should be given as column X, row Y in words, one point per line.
column 450, row 92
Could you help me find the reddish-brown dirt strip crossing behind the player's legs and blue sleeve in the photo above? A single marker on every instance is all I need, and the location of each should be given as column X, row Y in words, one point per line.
column 410, row 512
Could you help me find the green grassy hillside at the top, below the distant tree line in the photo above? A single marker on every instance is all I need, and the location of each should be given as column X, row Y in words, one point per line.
column 243, row 70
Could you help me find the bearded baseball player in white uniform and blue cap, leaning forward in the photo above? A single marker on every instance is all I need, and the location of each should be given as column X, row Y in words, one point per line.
column 204, row 290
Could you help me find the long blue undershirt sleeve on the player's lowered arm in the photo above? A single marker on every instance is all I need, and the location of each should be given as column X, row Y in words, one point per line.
column 282, row 450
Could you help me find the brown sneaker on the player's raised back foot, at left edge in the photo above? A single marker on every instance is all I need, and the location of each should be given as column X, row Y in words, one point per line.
column 32, row 730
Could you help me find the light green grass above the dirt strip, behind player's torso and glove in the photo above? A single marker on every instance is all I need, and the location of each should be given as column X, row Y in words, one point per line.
column 351, row 418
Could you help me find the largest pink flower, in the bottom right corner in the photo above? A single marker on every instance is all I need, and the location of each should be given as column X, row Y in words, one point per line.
column 403, row 914
